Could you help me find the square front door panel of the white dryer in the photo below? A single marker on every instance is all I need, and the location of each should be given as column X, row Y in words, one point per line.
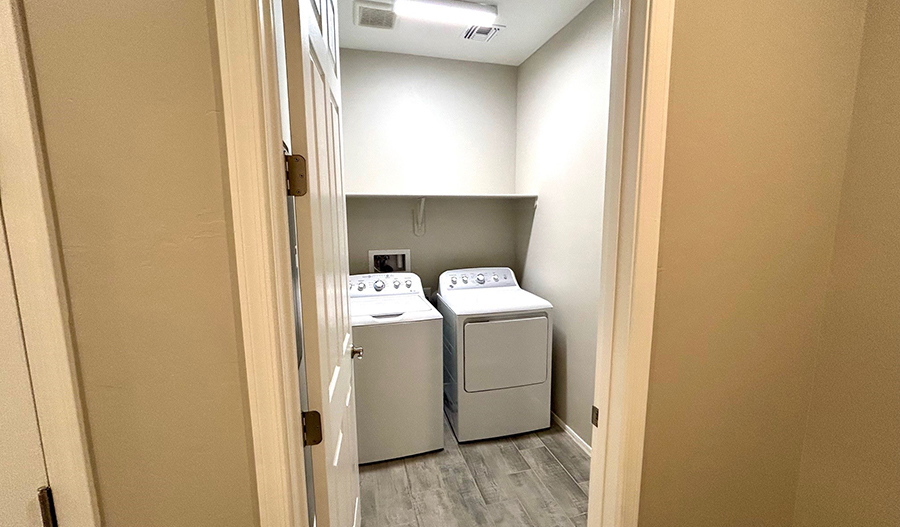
column 505, row 353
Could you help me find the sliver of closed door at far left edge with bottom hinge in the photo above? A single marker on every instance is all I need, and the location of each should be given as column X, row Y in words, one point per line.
column 22, row 470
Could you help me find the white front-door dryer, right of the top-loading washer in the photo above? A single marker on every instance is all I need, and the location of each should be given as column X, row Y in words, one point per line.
column 497, row 358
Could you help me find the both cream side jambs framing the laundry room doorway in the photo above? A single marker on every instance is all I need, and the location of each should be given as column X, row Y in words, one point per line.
column 639, row 102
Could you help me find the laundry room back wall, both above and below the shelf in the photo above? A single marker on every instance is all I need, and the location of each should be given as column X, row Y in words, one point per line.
column 430, row 126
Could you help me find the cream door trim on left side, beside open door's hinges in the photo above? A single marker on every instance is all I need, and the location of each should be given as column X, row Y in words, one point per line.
column 246, row 43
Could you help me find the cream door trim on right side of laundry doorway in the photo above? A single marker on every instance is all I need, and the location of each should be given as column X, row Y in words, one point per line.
column 642, row 39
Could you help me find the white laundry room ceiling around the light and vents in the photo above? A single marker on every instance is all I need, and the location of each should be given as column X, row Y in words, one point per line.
column 529, row 24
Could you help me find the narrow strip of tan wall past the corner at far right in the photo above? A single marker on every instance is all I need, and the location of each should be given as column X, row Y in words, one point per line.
column 850, row 473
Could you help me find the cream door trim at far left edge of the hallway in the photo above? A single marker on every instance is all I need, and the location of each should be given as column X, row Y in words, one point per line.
column 40, row 286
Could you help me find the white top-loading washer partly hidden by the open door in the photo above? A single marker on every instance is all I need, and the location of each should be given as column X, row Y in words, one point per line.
column 398, row 381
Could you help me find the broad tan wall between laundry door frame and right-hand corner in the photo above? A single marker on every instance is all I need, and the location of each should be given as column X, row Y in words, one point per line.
column 759, row 117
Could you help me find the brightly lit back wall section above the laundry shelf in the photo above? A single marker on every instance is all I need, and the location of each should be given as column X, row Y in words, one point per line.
column 418, row 125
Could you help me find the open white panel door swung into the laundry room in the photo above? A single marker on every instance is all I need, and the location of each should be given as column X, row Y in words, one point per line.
column 313, row 107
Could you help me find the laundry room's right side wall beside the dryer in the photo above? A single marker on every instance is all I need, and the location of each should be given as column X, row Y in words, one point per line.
column 563, row 108
